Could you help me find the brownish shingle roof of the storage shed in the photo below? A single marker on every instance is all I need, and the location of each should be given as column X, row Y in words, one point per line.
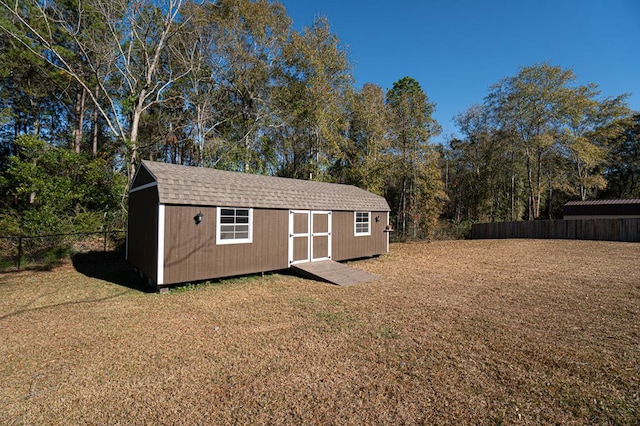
column 203, row 186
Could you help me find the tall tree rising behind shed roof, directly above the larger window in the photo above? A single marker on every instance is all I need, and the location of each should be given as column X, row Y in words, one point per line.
column 249, row 38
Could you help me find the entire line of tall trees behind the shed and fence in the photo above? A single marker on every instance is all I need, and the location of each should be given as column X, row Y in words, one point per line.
column 88, row 88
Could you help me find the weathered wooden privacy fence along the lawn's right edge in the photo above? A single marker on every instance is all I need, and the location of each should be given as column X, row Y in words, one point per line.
column 581, row 229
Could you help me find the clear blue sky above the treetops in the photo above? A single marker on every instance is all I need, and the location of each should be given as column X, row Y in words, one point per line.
column 457, row 49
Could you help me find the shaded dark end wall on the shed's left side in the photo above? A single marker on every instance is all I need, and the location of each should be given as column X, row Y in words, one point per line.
column 142, row 236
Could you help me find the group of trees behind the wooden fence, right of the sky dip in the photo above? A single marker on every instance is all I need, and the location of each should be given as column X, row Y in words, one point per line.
column 540, row 139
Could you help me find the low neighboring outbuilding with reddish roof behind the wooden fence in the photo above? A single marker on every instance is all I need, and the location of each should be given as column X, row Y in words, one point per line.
column 602, row 209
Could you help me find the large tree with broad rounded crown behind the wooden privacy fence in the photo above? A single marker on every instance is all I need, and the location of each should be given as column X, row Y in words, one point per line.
column 553, row 116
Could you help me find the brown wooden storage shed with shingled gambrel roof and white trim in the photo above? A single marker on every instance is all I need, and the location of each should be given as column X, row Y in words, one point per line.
column 190, row 224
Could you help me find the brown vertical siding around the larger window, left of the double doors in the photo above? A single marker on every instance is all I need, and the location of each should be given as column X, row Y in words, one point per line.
column 191, row 253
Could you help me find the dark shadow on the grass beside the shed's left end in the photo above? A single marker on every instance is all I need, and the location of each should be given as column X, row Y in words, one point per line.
column 110, row 267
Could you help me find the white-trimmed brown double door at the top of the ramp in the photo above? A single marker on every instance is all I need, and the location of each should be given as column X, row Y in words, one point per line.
column 309, row 236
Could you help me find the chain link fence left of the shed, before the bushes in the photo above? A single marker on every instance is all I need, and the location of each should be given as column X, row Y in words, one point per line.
column 19, row 252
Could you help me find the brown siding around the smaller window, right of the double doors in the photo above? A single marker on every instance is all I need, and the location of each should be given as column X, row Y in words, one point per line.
column 347, row 246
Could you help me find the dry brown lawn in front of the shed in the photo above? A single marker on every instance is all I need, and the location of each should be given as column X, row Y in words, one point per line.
column 488, row 332
